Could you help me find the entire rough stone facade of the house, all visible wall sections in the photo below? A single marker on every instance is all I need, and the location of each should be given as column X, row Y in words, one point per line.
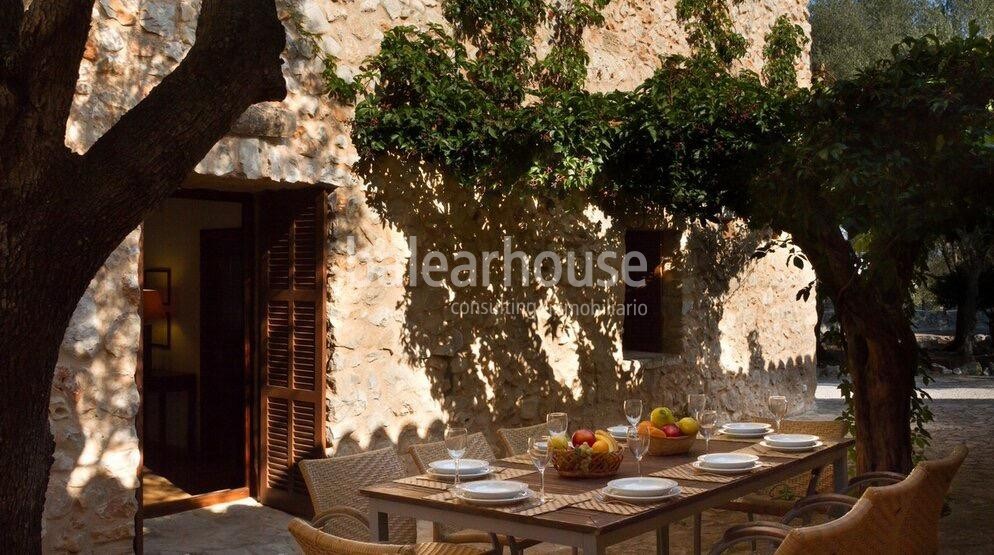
column 401, row 365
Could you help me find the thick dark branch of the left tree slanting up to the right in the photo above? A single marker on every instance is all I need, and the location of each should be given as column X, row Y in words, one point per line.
column 146, row 155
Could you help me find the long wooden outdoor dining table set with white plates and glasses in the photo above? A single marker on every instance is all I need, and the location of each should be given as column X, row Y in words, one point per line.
column 592, row 530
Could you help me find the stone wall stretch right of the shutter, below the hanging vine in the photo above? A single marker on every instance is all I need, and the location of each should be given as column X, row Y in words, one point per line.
column 406, row 359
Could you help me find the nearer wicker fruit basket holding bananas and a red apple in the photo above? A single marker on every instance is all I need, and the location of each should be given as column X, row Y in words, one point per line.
column 587, row 455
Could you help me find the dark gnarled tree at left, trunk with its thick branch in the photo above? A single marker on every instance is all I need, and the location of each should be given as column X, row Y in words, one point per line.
column 62, row 214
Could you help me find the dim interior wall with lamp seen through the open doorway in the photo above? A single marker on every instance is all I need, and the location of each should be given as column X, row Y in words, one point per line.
column 172, row 240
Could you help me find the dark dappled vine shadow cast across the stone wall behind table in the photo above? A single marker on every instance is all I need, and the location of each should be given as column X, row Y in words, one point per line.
column 509, row 368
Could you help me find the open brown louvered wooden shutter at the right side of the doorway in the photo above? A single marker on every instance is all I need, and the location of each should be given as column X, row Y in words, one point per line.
column 292, row 226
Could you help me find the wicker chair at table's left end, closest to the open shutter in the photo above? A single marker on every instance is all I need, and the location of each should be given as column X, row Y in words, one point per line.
column 334, row 484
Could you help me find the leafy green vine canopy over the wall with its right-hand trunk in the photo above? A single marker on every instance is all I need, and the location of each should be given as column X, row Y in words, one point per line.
column 863, row 172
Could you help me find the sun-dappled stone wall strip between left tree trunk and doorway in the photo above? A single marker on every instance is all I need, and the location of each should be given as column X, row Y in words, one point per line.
column 90, row 505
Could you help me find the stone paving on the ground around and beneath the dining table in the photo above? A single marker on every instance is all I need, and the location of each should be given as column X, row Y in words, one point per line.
column 964, row 413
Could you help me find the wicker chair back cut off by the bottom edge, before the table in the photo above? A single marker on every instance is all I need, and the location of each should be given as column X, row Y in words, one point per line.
column 315, row 542
